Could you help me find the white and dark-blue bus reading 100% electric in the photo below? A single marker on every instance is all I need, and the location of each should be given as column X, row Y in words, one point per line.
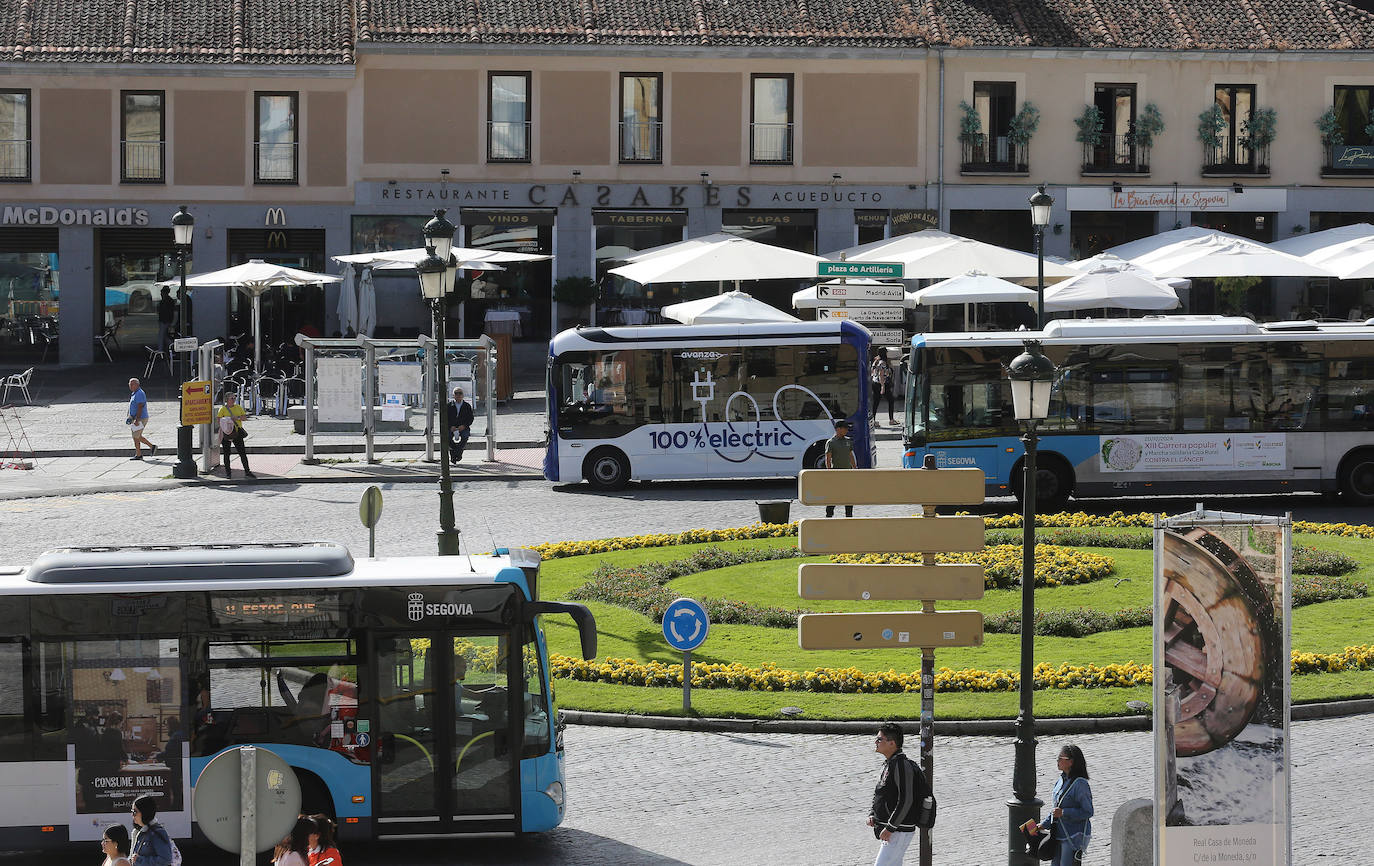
column 704, row 402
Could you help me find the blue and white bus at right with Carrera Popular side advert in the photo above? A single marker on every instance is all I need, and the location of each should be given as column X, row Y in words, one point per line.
column 1156, row 406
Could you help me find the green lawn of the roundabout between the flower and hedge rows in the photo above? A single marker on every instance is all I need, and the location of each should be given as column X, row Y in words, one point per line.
column 623, row 634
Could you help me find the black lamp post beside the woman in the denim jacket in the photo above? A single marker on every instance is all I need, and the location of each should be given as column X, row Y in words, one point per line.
column 1033, row 377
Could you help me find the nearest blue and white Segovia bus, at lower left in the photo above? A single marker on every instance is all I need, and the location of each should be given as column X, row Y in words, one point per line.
column 412, row 696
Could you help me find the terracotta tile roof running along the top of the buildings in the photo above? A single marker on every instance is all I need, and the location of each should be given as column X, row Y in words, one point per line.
column 282, row 32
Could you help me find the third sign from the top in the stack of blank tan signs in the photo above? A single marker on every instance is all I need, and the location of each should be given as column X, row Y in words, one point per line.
column 846, row 582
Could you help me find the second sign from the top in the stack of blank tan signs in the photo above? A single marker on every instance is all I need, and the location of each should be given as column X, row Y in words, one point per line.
column 829, row 535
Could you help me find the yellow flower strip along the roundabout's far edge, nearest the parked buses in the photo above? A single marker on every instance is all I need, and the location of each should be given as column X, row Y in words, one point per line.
column 1118, row 520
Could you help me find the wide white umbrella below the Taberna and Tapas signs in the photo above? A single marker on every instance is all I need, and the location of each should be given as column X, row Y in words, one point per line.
column 721, row 259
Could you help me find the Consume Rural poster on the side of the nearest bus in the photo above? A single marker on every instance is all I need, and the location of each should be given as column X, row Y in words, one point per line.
column 127, row 735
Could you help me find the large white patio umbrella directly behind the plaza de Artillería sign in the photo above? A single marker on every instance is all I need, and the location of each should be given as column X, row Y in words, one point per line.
column 936, row 255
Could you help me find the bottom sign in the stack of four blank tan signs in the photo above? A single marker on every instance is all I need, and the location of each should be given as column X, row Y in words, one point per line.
column 890, row 630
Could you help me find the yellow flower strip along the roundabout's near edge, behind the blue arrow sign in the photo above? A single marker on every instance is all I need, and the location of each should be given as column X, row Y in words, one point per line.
column 770, row 678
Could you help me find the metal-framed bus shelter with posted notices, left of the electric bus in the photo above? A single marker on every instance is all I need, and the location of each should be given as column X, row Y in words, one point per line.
column 361, row 384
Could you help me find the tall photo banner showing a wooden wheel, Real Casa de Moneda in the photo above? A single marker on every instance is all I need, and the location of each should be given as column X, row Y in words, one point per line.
column 1222, row 689
